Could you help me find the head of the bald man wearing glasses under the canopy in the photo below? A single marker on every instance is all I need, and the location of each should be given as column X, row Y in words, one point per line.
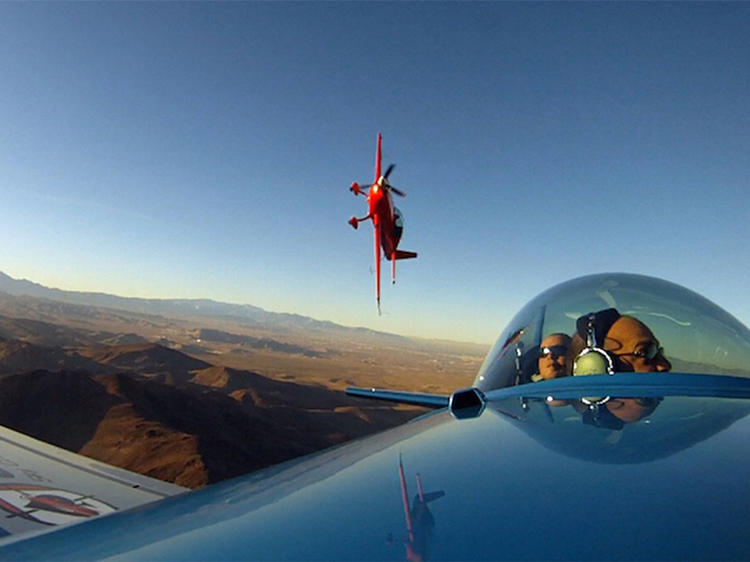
column 635, row 347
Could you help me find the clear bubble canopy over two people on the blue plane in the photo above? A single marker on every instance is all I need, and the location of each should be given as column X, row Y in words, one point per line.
column 642, row 323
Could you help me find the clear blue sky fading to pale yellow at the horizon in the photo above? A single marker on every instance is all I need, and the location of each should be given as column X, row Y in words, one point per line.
column 205, row 150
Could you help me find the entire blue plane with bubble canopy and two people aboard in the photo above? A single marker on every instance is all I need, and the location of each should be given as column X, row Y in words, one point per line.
column 574, row 466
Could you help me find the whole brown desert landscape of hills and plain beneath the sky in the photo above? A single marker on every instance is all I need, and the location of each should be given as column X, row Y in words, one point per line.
column 194, row 392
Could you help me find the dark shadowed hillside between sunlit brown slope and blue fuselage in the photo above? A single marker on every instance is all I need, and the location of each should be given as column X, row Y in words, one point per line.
column 236, row 437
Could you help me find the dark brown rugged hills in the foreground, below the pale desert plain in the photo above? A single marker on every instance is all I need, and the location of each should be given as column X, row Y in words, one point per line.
column 159, row 412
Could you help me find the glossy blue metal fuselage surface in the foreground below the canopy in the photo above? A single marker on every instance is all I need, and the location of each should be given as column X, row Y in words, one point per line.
column 523, row 480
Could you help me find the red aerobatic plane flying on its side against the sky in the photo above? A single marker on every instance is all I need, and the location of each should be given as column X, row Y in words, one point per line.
column 387, row 220
